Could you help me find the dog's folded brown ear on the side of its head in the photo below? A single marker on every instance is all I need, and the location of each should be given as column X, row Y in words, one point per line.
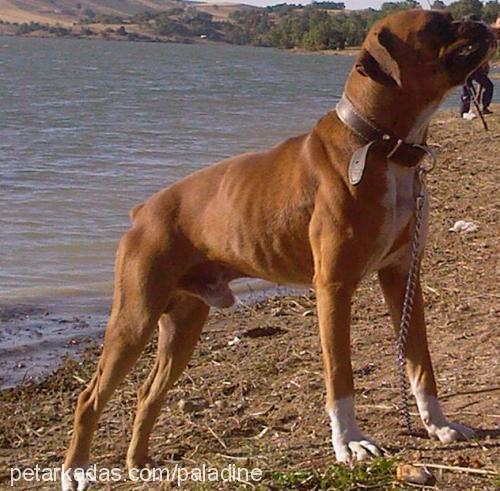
column 377, row 62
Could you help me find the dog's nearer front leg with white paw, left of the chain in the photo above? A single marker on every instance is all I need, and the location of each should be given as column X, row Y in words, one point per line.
column 334, row 310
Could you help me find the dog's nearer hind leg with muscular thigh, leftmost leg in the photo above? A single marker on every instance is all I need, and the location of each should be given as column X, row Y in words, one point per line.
column 142, row 289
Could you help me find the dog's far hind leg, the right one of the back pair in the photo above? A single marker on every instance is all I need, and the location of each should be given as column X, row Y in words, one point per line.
column 179, row 332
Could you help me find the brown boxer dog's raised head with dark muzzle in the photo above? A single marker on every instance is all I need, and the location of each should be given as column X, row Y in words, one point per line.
column 425, row 51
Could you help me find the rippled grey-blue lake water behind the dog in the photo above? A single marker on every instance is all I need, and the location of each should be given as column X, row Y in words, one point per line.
column 88, row 129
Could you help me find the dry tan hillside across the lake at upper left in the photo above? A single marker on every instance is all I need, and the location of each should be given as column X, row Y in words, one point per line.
column 148, row 20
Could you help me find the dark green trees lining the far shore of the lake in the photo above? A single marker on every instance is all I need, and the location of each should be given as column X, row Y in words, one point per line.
column 313, row 27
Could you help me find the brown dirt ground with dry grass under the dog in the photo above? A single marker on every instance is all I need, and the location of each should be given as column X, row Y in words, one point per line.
column 253, row 395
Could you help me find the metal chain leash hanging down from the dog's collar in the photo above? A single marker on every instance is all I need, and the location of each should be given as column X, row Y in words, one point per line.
column 411, row 285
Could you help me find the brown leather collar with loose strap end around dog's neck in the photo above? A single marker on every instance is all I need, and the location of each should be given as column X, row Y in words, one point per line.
column 395, row 149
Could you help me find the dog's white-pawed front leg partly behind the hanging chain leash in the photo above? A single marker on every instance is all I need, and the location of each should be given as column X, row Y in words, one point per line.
column 393, row 282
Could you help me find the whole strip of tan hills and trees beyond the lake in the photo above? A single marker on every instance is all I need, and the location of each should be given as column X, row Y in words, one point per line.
column 318, row 26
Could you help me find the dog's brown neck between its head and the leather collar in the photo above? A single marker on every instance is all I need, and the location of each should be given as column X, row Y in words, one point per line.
column 391, row 108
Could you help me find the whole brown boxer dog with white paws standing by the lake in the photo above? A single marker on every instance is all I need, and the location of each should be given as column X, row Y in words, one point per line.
column 304, row 212
